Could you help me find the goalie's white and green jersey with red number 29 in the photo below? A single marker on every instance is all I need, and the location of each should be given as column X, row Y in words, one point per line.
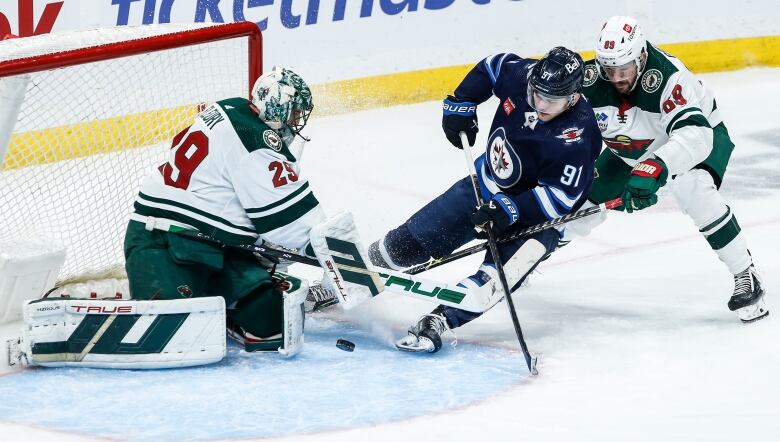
column 232, row 177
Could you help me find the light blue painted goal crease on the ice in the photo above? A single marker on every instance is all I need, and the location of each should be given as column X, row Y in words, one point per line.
column 262, row 395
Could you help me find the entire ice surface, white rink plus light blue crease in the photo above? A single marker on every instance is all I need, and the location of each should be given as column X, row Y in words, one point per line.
column 631, row 324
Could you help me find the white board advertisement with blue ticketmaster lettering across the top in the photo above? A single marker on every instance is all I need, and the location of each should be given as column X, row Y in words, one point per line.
column 330, row 40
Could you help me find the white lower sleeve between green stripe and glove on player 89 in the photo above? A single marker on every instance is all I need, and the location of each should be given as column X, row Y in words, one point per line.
column 687, row 147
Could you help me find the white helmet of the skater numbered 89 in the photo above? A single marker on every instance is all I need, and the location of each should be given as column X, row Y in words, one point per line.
column 621, row 43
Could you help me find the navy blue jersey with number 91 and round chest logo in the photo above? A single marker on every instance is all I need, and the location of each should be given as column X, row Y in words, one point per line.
column 546, row 168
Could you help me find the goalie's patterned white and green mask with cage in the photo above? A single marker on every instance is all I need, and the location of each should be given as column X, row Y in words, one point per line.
column 282, row 99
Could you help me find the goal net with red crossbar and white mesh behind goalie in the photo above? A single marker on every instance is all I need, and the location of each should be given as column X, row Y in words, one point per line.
column 92, row 113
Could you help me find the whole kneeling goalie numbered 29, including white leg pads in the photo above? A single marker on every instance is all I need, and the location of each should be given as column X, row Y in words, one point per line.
column 234, row 177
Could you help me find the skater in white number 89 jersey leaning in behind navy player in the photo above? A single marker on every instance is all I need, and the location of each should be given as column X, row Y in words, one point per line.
column 661, row 126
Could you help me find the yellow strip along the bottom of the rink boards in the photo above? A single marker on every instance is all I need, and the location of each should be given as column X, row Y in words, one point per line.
column 339, row 97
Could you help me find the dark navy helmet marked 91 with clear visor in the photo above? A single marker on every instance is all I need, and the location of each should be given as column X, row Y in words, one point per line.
column 557, row 77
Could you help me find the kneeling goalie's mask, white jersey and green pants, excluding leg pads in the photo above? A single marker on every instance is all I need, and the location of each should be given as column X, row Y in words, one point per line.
column 234, row 176
